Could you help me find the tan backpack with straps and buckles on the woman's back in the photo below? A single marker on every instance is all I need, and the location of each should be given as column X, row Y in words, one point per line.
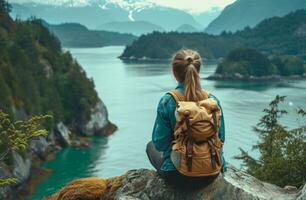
column 196, row 149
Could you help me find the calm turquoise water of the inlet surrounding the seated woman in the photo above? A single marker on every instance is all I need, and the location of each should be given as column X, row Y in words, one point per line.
column 131, row 93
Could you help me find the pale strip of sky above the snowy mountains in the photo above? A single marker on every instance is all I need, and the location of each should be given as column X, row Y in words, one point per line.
column 194, row 6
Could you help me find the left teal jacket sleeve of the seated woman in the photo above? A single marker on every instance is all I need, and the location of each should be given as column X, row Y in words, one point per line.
column 162, row 130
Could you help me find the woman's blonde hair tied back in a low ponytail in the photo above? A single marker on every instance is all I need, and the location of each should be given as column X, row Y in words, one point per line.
column 186, row 66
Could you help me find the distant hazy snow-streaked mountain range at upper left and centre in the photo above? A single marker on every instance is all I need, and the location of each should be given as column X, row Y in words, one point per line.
column 94, row 13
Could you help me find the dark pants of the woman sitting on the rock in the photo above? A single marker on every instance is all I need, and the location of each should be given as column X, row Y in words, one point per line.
column 174, row 177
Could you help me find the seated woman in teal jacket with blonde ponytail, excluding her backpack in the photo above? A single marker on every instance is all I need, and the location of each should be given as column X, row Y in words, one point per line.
column 186, row 67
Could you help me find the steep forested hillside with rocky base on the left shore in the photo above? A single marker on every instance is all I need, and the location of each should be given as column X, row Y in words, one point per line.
column 38, row 78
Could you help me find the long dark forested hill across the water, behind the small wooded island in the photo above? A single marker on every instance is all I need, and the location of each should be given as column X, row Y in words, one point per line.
column 281, row 35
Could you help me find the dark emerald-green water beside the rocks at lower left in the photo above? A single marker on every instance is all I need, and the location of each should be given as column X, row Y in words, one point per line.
column 71, row 163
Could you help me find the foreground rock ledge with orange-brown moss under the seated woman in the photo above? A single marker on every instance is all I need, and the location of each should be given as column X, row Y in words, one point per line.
column 144, row 184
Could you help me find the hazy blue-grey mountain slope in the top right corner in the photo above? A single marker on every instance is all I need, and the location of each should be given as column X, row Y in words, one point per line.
column 244, row 13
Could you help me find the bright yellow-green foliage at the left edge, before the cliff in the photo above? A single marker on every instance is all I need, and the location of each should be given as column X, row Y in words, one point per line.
column 15, row 136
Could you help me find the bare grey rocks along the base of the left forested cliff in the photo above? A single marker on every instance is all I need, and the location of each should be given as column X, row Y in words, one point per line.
column 26, row 167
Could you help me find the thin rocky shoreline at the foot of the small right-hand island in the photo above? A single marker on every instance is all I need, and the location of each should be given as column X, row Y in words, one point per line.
column 240, row 77
